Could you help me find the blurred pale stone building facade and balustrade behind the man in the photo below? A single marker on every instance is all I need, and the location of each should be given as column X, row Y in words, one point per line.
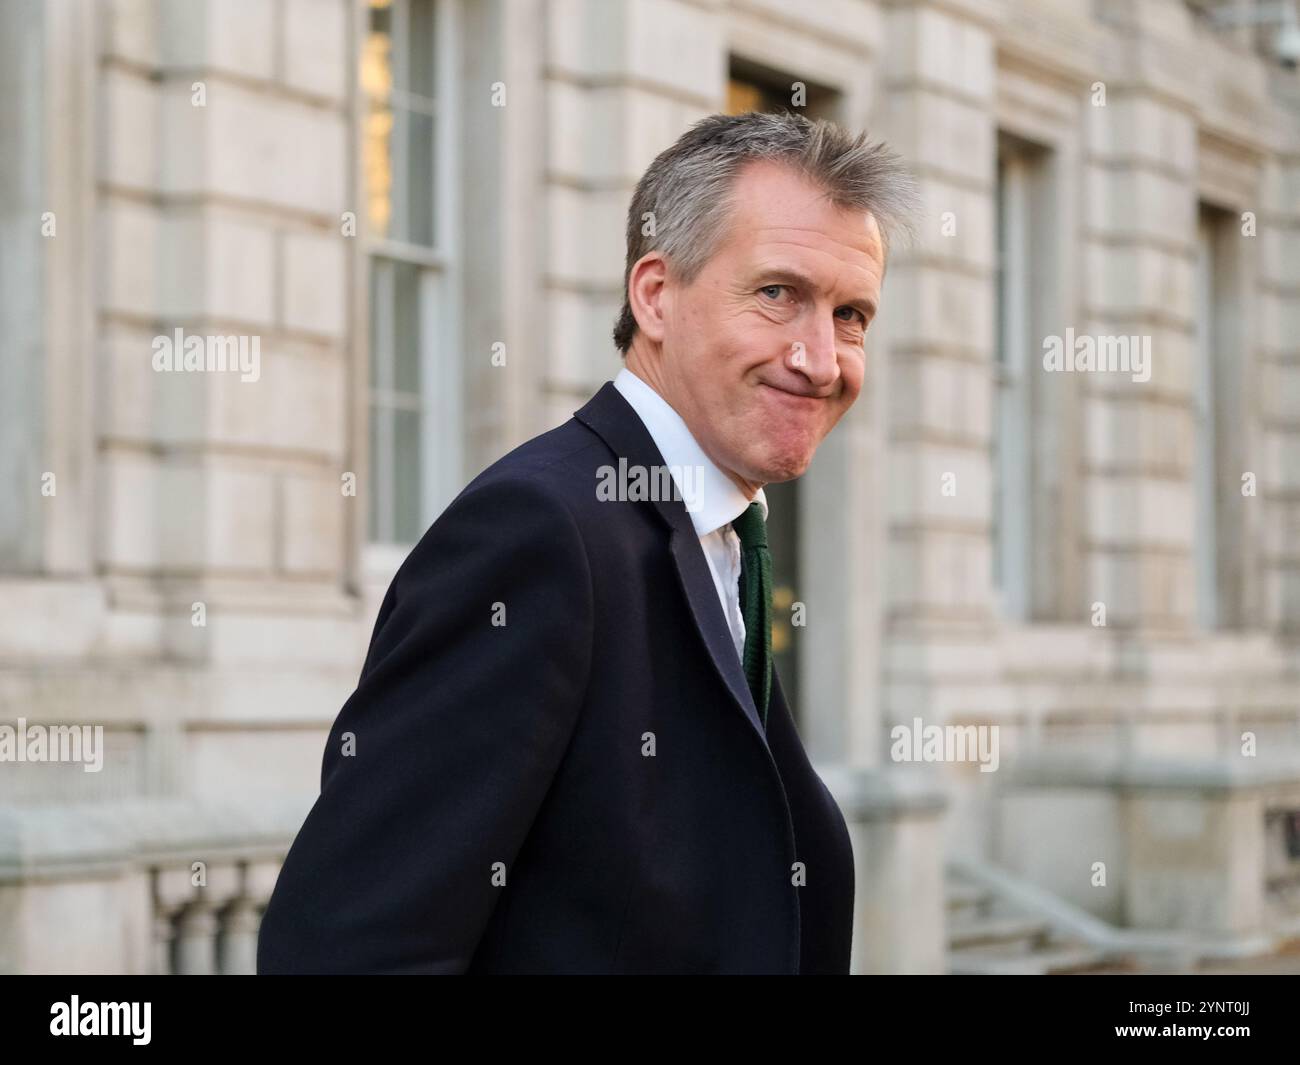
column 417, row 210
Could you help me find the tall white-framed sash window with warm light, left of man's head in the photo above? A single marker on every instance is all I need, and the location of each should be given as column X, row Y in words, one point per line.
column 414, row 375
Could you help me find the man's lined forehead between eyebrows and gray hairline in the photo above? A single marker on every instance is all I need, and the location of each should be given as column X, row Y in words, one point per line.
column 773, row 205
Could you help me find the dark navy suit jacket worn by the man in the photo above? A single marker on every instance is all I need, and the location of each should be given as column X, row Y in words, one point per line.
column 586, row 789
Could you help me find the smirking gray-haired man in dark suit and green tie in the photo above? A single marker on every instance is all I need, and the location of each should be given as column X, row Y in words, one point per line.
column 569, row 751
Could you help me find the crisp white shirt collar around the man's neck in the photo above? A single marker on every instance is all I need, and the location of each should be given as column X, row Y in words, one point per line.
column 720, row 497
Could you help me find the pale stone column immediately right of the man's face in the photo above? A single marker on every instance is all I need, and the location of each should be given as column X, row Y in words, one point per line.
column 938, row 112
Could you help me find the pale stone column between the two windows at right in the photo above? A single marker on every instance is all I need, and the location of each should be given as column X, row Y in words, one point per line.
column 1139, row 449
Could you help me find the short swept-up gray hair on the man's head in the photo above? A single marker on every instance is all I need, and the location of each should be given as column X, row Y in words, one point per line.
column 687, row 191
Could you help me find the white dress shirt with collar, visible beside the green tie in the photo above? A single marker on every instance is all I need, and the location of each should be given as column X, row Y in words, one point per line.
column 718, row 497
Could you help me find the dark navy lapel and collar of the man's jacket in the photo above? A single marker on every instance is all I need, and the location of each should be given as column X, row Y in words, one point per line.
column 612, row 418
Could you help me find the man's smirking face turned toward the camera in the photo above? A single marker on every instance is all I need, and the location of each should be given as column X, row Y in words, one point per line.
column 764, row 352
